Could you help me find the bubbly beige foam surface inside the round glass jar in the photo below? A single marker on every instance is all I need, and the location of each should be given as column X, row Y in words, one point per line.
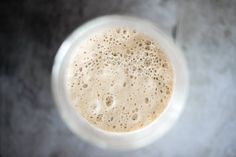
column 119, row 79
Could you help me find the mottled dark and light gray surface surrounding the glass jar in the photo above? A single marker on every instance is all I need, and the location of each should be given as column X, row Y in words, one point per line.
column 31, row 32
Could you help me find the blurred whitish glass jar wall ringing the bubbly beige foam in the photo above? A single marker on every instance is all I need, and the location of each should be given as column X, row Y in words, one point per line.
column 129, row 140
